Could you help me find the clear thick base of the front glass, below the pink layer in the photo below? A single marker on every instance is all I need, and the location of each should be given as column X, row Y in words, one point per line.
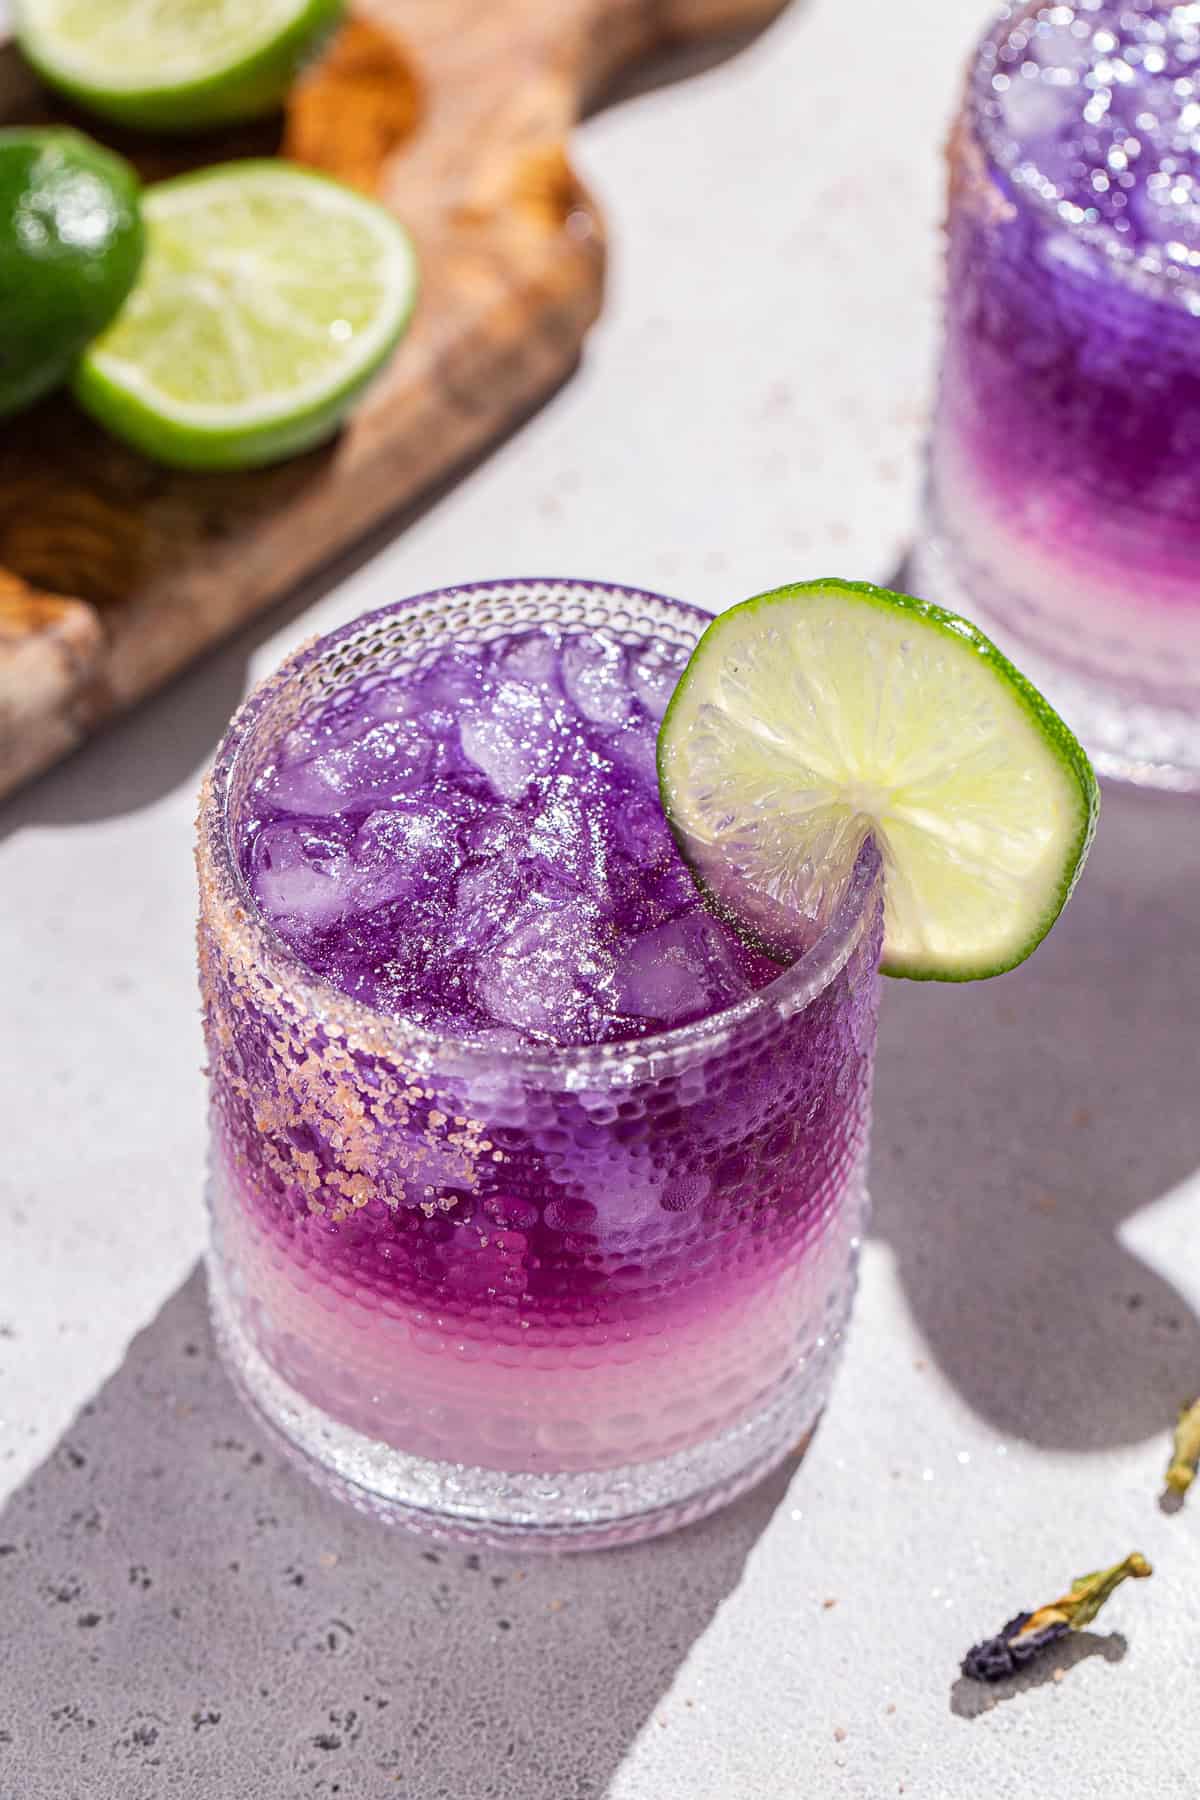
column 524, row 1511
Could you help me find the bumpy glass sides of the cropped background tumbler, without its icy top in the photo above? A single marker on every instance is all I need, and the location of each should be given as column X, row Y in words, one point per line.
column 1064, row 499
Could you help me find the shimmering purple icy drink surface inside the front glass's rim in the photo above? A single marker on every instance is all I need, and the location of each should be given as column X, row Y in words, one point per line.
column 481, row 849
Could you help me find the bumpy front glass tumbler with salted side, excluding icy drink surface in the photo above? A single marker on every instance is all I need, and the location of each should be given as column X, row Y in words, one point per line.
column 551, row 1297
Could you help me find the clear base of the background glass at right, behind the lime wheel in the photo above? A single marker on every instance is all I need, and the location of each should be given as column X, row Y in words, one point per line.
column 1127, row 735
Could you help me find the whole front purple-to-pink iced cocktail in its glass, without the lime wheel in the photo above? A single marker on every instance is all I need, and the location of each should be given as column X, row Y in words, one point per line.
column 535, row 1191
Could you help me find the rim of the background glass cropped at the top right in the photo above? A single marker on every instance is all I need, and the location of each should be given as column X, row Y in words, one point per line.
column 1145, row 271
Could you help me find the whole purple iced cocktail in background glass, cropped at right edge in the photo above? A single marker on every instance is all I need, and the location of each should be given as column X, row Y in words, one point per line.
column 1066, row 460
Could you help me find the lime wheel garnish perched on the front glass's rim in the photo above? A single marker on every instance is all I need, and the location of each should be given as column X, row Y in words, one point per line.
column 828, row 712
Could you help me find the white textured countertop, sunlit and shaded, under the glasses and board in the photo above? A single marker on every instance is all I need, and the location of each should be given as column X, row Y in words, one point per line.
column 751, row 411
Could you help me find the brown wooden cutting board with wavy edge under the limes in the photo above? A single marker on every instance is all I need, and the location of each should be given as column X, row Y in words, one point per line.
column 456, row 114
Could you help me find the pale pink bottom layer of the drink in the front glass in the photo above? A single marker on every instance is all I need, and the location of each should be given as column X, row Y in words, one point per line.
column 530, row 1387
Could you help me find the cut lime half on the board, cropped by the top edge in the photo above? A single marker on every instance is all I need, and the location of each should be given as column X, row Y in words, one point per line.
column 174, row 66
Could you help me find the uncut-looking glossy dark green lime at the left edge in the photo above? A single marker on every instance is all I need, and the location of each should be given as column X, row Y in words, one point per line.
column 71, row 247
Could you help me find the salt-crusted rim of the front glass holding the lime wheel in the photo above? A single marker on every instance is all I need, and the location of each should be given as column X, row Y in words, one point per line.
column 395, row 1036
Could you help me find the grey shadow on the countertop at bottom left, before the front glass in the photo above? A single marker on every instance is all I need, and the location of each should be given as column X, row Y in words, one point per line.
column 195, row 1617
